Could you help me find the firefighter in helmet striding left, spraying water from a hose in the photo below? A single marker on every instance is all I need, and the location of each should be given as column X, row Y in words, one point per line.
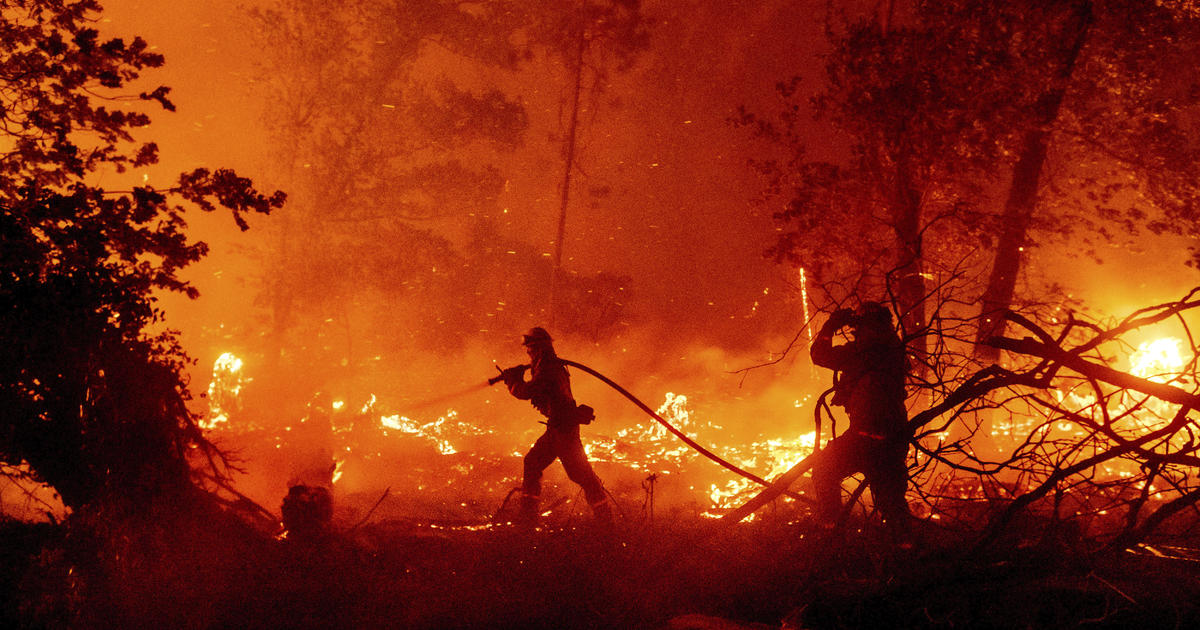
column 549, row 391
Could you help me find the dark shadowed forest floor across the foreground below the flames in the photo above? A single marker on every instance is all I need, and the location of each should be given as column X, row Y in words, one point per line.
column 667, row 574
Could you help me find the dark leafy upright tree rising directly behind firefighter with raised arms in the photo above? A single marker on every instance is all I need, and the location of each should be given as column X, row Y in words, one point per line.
column 893, row 215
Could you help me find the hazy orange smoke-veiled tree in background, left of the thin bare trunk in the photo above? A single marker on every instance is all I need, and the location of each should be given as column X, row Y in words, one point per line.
column 386, row 122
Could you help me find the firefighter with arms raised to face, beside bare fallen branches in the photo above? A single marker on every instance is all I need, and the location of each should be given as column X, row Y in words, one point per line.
column 871, row 386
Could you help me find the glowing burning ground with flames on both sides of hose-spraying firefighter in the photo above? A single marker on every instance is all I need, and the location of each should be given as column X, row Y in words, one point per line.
column 458, row 464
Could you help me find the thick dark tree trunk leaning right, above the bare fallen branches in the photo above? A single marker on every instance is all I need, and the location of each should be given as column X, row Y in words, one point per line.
column 1023, row 194
